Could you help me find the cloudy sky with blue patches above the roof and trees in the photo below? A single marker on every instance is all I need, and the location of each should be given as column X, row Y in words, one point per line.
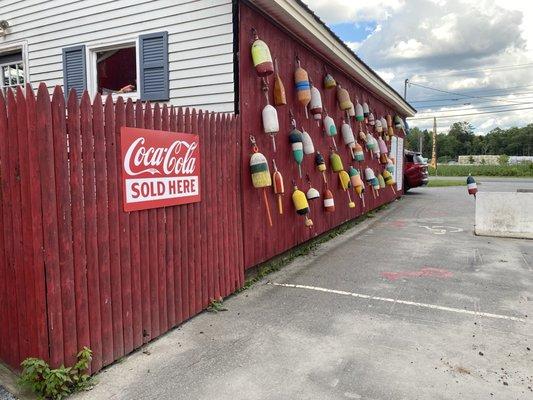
column 479, row 51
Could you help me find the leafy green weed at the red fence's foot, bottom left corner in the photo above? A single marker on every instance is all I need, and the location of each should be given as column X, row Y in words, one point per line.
column 57, row 383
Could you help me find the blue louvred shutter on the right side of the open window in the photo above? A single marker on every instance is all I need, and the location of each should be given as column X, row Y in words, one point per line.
column 153, row 49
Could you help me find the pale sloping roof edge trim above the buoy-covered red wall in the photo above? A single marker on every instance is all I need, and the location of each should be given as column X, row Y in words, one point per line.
column 297, row 13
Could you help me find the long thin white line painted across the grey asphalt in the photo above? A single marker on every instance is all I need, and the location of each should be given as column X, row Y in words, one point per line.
column 409, row 303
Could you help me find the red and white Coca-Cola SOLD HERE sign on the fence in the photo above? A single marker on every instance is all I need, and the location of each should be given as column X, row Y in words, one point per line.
column 160, row 168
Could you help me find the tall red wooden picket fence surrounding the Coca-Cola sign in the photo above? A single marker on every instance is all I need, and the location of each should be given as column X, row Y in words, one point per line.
column 75, row 269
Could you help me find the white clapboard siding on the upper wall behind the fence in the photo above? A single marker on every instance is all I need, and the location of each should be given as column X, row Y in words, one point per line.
column 200, row 40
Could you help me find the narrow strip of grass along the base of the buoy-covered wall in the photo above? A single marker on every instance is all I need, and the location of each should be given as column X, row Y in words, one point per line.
column 255, row 274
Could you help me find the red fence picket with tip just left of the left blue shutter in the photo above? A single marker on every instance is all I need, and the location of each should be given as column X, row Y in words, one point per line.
column 64, row 218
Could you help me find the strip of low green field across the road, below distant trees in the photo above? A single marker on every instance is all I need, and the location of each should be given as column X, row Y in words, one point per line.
column 524, row 169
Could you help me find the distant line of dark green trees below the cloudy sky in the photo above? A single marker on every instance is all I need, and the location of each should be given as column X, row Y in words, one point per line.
column 461, row 140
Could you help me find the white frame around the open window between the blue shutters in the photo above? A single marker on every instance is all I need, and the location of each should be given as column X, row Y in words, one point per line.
column 92, row 71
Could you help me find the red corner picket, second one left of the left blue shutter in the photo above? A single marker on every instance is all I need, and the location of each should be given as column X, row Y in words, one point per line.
column 49, row 210
